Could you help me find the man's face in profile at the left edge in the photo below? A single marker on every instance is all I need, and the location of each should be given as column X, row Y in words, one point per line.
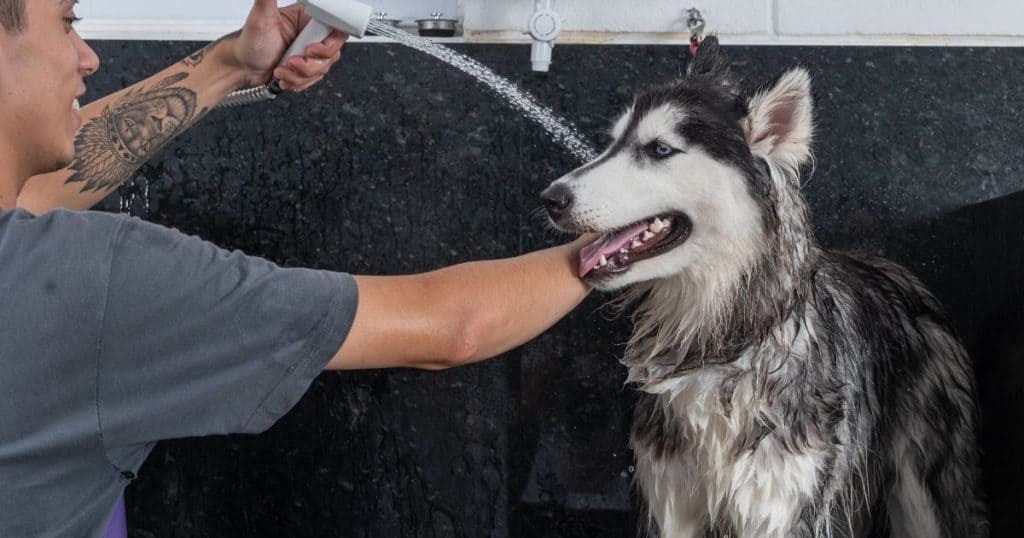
column 42, row 69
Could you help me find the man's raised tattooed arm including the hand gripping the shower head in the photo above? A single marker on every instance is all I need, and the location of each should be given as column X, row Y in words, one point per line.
column 123, row 131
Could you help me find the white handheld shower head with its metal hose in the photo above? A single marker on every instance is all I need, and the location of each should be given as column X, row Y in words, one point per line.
column 347, row 16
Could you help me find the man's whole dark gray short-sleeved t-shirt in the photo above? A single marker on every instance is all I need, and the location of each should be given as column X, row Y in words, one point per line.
column 116, row 334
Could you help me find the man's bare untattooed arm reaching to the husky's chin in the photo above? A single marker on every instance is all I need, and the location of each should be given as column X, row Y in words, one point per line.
column 463, row 314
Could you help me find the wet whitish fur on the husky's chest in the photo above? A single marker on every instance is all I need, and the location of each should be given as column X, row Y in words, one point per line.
column 717, row 449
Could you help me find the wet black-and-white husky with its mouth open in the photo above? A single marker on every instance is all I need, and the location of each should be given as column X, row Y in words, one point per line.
column 786, row 391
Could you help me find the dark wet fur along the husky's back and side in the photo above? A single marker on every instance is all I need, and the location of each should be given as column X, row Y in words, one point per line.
column 918, row 390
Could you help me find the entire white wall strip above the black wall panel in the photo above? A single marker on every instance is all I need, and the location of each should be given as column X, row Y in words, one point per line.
column 781, row 22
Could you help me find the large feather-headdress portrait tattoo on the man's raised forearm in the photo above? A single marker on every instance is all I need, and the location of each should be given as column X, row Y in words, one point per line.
column 111, row 147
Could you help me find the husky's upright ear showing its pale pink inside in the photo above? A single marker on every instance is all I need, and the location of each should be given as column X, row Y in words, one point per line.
column 780, row 123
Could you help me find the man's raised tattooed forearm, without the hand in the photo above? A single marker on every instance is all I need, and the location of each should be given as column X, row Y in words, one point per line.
column 123, row 131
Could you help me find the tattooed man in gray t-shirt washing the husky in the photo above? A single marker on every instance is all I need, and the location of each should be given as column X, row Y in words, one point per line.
column 116, row 334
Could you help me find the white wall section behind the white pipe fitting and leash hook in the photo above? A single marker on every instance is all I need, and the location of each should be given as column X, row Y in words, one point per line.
column 796, row 22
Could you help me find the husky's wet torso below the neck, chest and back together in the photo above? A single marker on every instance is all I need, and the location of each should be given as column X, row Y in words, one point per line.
column 855, row 418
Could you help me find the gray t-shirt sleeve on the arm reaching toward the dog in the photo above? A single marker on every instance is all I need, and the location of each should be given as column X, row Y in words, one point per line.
column 198, row 341
